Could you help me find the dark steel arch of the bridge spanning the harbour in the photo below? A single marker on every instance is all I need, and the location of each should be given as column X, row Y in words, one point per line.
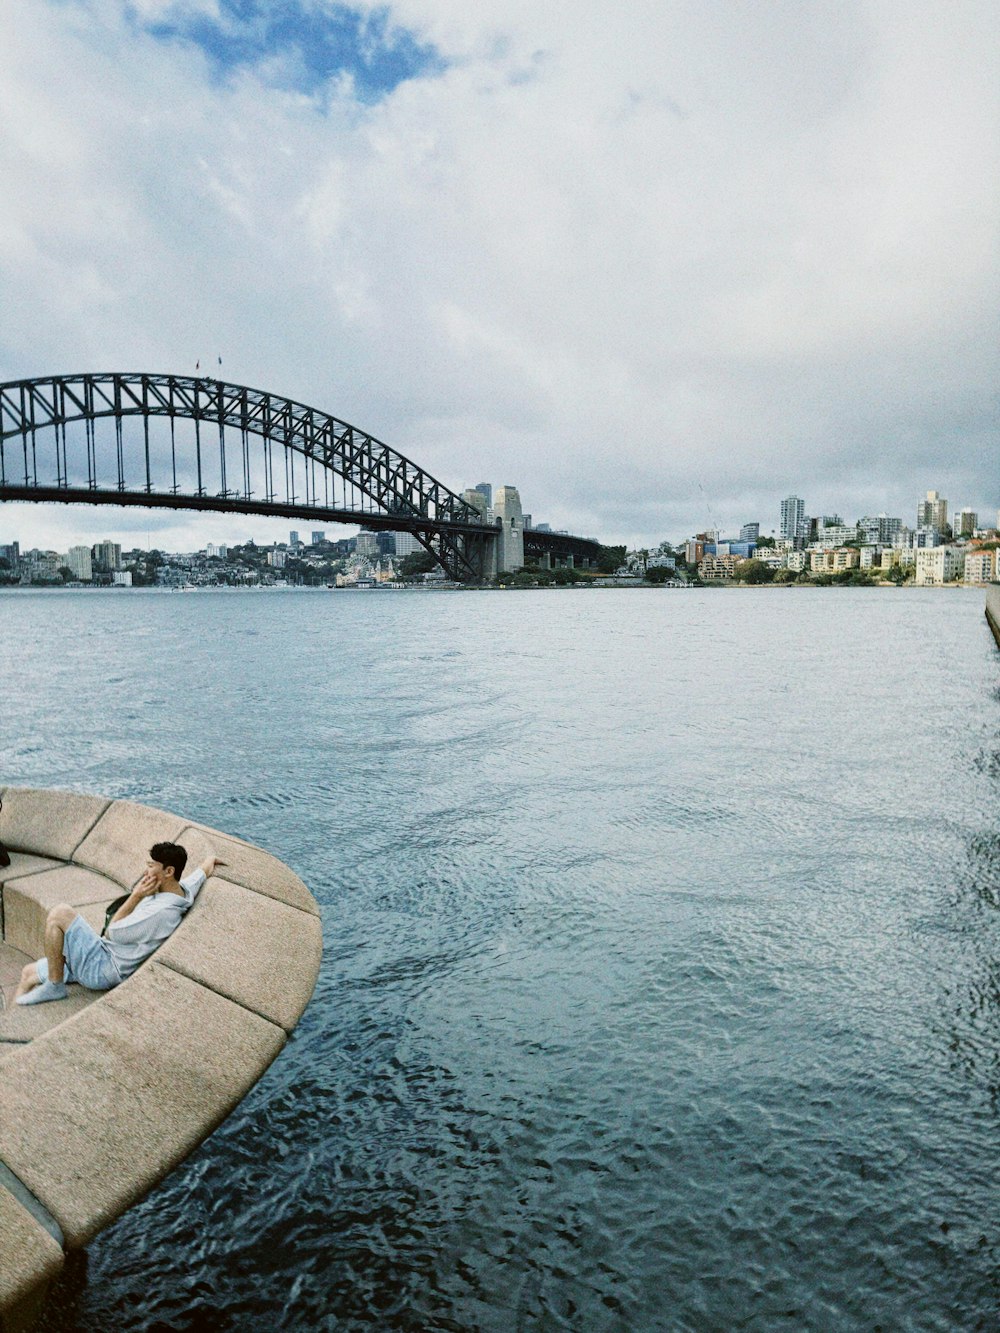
column 187, row 443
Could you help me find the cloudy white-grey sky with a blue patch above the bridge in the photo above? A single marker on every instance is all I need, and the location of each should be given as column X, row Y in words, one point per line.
column 657, row 265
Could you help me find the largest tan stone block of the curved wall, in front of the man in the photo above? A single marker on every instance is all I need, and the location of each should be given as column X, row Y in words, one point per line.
column 110, row 1102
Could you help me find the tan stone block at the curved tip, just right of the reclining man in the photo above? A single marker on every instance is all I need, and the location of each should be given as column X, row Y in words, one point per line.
column 251, row 948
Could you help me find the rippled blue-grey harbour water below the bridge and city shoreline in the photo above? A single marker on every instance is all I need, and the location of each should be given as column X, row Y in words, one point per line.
column 662, row 976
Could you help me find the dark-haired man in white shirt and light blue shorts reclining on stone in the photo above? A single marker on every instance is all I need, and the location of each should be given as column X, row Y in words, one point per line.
column 149, row 916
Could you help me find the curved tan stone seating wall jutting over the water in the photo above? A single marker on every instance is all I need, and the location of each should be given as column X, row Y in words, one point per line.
column 95, row 1108
